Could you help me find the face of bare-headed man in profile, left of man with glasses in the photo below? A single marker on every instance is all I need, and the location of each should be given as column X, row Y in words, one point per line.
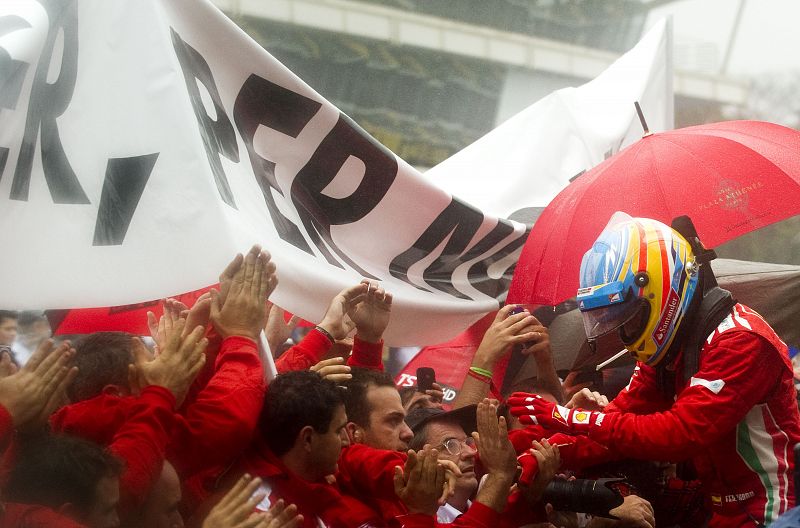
column 387, row 428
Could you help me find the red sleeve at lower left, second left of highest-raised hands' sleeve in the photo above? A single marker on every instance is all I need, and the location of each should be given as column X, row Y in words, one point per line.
column 141, row 443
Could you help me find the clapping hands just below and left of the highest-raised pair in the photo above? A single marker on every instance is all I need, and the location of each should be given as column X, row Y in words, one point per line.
column 179, row 362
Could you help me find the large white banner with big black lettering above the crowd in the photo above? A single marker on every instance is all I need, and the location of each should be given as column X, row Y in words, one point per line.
column 144, row 142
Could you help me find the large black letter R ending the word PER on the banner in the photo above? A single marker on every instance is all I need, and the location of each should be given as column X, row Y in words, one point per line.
column 319, row 211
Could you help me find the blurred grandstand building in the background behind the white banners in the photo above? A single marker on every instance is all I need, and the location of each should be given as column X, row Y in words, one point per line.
column 427, row 78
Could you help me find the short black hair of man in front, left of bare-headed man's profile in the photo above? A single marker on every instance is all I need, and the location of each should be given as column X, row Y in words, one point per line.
column 295, row 400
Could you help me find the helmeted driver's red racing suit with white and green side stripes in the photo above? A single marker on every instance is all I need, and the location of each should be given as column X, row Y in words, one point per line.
column 736, row 418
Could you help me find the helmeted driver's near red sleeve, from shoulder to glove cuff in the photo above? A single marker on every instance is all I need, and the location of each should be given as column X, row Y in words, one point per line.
column 731, row 380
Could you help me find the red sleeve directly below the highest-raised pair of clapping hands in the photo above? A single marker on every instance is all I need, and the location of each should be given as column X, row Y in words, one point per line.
column 219, row 424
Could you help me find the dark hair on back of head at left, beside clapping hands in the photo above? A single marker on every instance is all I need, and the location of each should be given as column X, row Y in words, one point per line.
column 102, row 359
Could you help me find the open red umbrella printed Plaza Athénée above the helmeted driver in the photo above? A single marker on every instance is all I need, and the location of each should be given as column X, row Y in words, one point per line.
column 730, row 178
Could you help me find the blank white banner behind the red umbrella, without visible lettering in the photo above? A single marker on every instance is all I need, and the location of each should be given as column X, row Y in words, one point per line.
column 517, row 168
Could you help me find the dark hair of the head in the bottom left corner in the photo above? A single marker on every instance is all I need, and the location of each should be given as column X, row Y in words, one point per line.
column 52, row 470
